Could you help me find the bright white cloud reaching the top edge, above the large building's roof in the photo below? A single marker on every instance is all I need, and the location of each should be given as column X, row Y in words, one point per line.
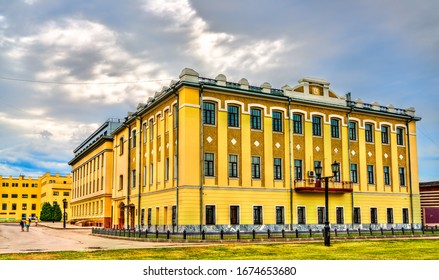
column 219, row 50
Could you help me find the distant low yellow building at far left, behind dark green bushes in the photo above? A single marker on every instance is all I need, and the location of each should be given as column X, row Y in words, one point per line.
column 23, row 197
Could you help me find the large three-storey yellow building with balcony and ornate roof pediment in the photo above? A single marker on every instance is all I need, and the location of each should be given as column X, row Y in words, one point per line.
column 210, row 154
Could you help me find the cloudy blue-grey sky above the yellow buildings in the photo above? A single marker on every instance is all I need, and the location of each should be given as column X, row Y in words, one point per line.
column 68, row 66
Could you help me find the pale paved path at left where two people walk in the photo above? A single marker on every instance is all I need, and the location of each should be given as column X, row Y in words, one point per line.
column 49, row 237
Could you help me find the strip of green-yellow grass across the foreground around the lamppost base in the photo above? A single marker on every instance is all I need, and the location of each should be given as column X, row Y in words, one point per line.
column 419, row 249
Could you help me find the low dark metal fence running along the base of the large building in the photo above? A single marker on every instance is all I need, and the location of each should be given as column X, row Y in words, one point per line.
column 259, row 235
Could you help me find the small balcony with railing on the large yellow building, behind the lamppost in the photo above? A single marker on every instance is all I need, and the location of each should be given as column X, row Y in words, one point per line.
column 316, row 186
